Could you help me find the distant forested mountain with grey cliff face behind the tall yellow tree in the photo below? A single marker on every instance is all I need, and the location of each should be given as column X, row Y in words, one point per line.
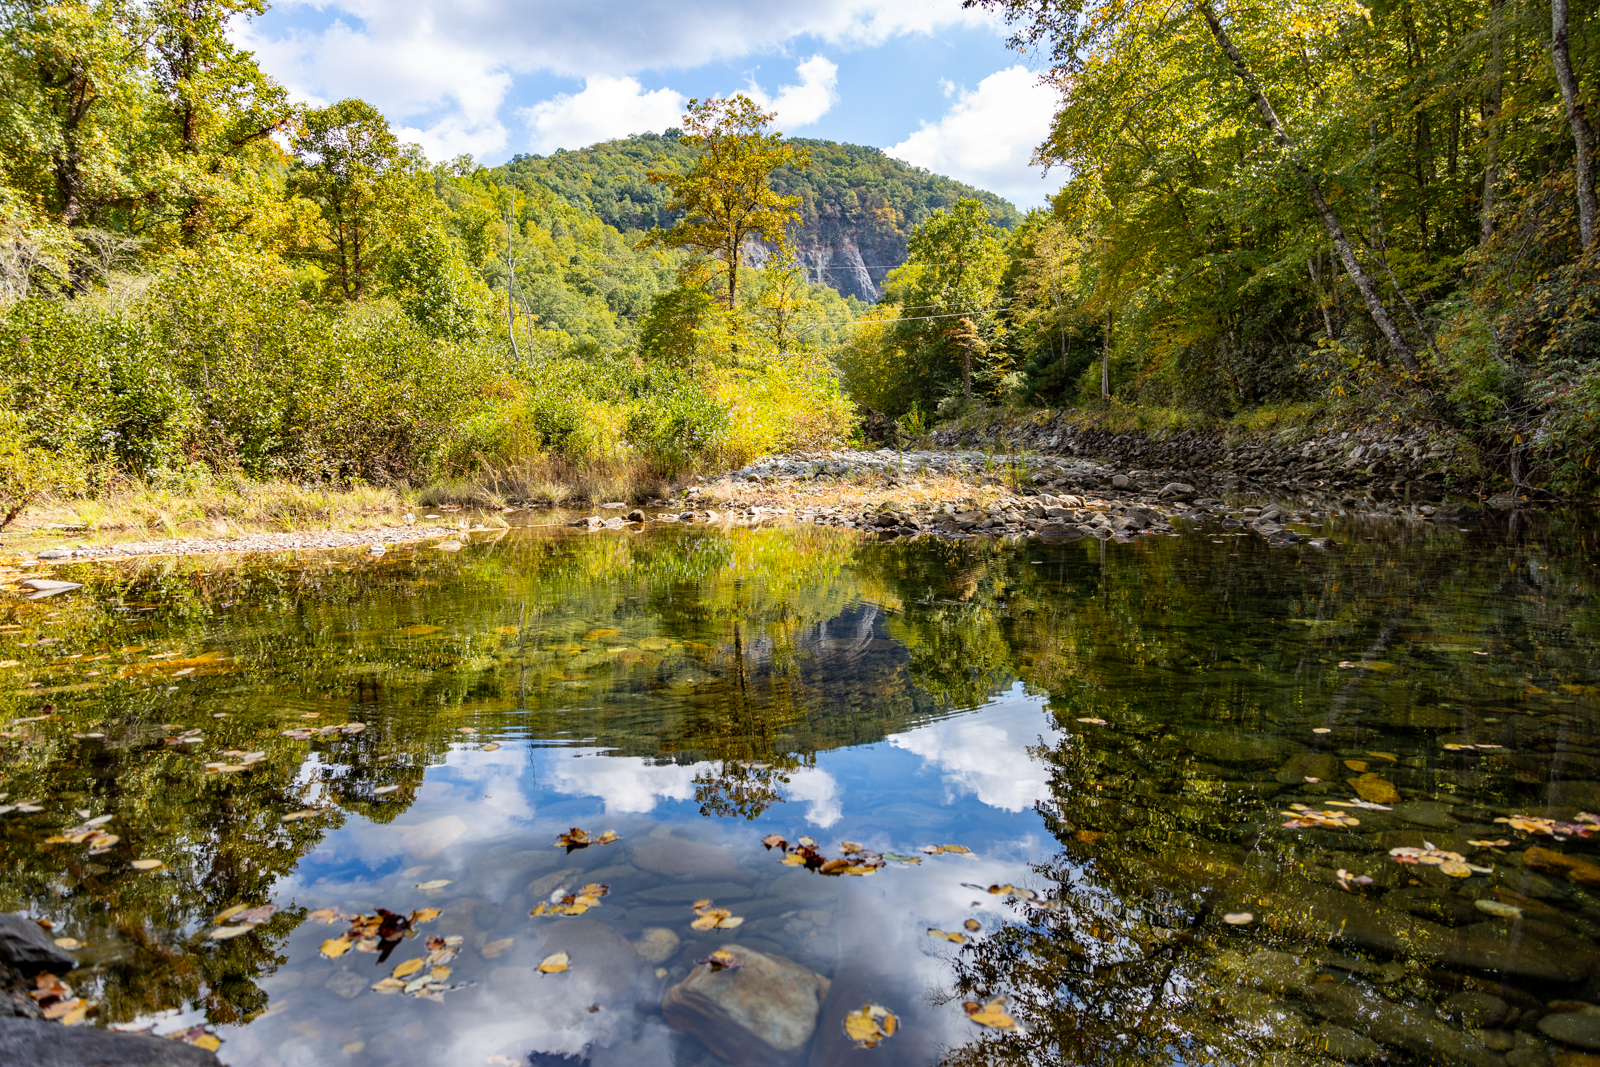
column 858, row 206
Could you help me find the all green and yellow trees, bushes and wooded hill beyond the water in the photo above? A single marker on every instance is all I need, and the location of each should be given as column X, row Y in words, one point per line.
column 201, row 279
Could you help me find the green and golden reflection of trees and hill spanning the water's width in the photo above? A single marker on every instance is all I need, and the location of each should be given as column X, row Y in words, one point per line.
column 754, row 652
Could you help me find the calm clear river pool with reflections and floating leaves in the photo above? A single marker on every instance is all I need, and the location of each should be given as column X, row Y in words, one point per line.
column 697, row 692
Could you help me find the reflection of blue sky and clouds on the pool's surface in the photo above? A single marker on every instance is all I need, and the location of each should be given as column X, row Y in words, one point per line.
column 486, row 823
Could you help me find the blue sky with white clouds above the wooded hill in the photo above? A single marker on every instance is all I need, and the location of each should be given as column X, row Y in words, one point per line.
column 926, row 81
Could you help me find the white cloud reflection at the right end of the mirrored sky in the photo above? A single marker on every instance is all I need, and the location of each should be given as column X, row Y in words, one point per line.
column 986, row 753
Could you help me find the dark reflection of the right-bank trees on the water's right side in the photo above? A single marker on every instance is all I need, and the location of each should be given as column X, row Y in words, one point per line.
column 1191, row 653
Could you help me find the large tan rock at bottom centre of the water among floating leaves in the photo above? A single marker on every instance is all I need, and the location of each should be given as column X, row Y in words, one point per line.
column 758, row 1015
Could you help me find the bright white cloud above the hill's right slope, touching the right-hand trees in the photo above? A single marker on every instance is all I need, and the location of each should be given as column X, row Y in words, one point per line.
column 990, row 135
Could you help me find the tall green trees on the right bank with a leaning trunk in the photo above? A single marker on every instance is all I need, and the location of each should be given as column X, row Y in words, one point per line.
column 1436, row 138
